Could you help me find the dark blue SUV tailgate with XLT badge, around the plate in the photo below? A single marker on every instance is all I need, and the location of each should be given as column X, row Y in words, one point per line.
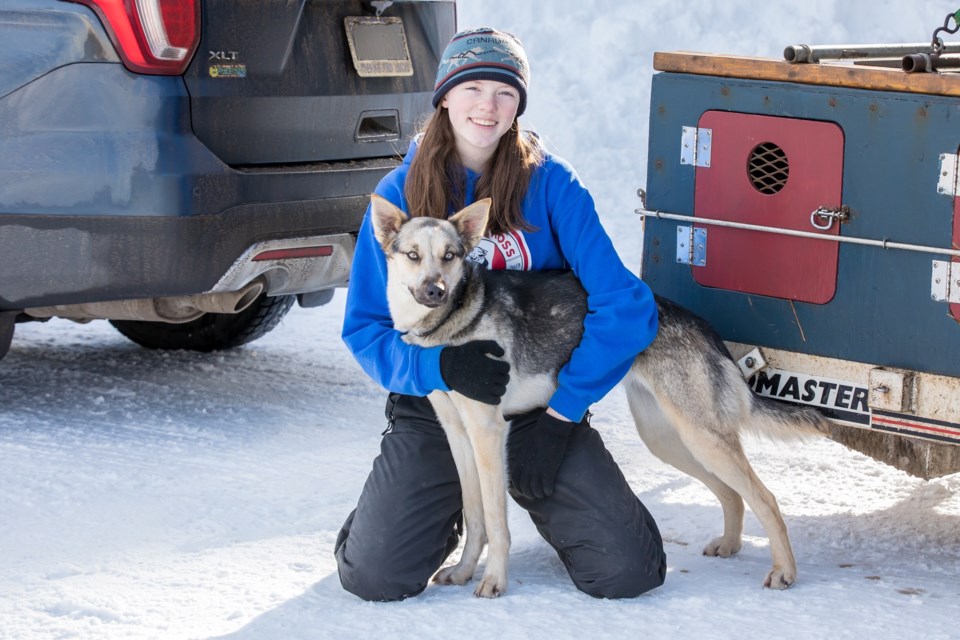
column 274, row 82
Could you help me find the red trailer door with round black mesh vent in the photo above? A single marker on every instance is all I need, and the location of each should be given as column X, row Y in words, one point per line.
column 774, row 172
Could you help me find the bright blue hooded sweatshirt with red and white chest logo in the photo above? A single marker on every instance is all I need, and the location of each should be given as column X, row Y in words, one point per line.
column 622, row 317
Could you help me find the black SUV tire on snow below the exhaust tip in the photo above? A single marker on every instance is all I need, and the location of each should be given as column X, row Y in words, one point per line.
column 211, row 331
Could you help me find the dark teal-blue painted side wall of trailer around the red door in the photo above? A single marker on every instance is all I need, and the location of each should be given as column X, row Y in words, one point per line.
column 882, row 312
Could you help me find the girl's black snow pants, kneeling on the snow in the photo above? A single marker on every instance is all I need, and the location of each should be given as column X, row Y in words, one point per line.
column 408, row 518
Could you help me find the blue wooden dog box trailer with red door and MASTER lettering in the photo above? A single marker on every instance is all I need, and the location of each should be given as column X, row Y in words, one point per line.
column 810, row 212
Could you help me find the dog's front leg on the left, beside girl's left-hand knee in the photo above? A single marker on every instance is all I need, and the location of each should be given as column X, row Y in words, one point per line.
column 463, row 456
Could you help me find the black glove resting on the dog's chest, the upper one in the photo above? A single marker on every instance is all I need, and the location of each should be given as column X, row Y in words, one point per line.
column 469, row 370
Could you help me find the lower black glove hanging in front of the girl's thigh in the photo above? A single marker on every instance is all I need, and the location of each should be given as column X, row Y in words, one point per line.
column 535, row 454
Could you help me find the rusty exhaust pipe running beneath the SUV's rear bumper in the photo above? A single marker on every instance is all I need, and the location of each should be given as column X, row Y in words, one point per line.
column 174, row 309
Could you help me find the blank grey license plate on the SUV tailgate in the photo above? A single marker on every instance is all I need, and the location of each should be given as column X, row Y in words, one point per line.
column 378, row 47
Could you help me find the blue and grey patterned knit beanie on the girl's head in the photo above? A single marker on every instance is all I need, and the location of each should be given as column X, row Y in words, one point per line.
column 483, row 54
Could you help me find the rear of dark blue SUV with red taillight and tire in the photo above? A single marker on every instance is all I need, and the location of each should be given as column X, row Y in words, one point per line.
column 188, row 168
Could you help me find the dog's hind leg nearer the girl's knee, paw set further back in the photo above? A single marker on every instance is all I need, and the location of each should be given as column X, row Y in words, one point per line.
column 659, row 435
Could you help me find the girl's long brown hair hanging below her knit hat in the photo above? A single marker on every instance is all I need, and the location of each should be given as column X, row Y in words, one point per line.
column 436, row 182
